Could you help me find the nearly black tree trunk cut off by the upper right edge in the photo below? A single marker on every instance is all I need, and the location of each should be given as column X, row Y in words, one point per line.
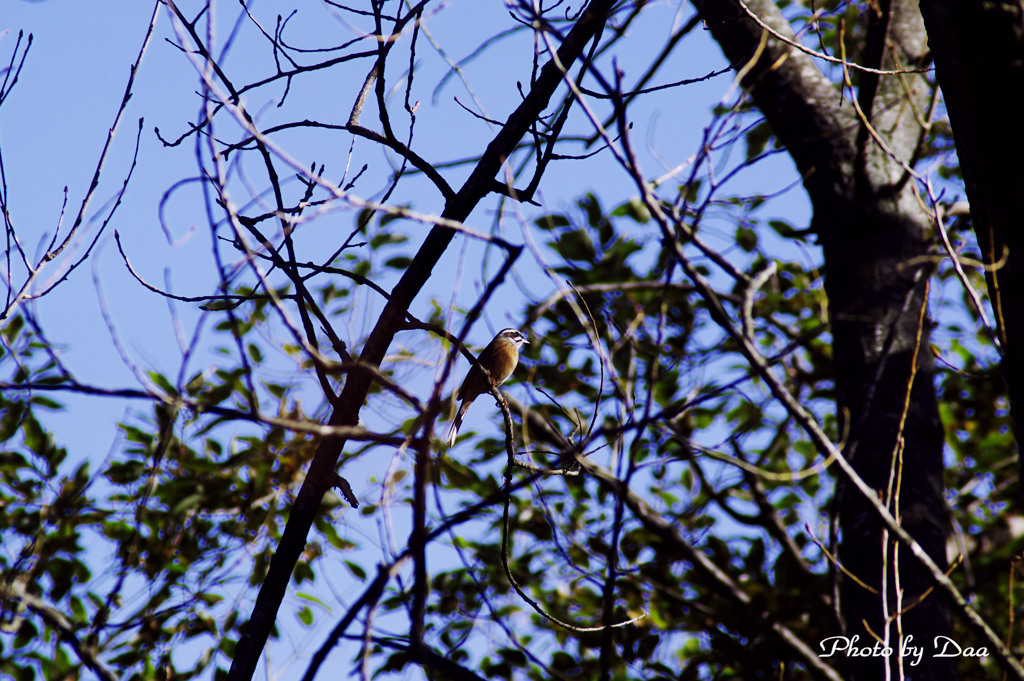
column 979, row 60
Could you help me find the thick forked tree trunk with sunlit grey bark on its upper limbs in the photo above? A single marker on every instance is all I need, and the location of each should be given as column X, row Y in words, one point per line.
column 872, row 229
